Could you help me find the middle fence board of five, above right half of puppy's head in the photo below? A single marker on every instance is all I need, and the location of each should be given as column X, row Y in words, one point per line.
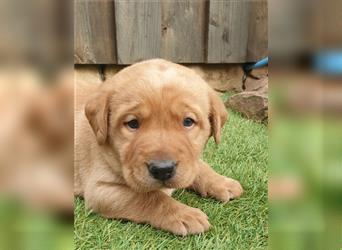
column 183, row 30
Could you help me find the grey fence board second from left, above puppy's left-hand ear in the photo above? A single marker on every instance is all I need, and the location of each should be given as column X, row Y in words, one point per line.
column 138, row 30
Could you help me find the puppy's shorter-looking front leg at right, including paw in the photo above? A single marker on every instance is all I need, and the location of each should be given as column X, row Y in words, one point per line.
column 210, row 183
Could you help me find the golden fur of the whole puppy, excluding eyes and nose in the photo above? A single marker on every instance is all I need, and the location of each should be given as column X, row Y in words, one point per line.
column 111, row 157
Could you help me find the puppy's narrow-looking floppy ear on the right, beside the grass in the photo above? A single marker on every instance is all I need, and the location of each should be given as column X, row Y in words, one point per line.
column 218, row 115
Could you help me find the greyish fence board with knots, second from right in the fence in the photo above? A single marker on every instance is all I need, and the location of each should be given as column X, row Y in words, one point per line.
column 228, row 31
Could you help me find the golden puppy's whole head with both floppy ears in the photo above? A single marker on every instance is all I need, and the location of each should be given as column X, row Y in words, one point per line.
column 156, row 117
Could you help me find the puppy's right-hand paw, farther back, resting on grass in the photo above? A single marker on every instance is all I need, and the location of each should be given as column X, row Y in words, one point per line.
column 224, row 189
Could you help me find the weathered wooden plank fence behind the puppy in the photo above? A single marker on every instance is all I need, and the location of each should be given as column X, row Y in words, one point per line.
column 184, row 31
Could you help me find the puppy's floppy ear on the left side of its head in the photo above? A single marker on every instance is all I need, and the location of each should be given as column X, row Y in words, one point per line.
column 96, row 111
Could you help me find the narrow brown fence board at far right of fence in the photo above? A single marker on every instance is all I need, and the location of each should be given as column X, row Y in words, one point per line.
column 257, row 46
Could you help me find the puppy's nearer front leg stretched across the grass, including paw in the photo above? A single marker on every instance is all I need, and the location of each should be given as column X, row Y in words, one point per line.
column 155, row 208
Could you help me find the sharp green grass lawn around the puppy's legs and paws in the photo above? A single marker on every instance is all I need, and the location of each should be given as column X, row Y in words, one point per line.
column 238, row 224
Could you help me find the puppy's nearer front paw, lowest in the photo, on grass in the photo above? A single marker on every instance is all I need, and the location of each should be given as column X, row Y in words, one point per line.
column 186, row 220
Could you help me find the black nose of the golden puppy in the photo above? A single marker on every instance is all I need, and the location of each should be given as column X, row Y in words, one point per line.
column 161, row 169
